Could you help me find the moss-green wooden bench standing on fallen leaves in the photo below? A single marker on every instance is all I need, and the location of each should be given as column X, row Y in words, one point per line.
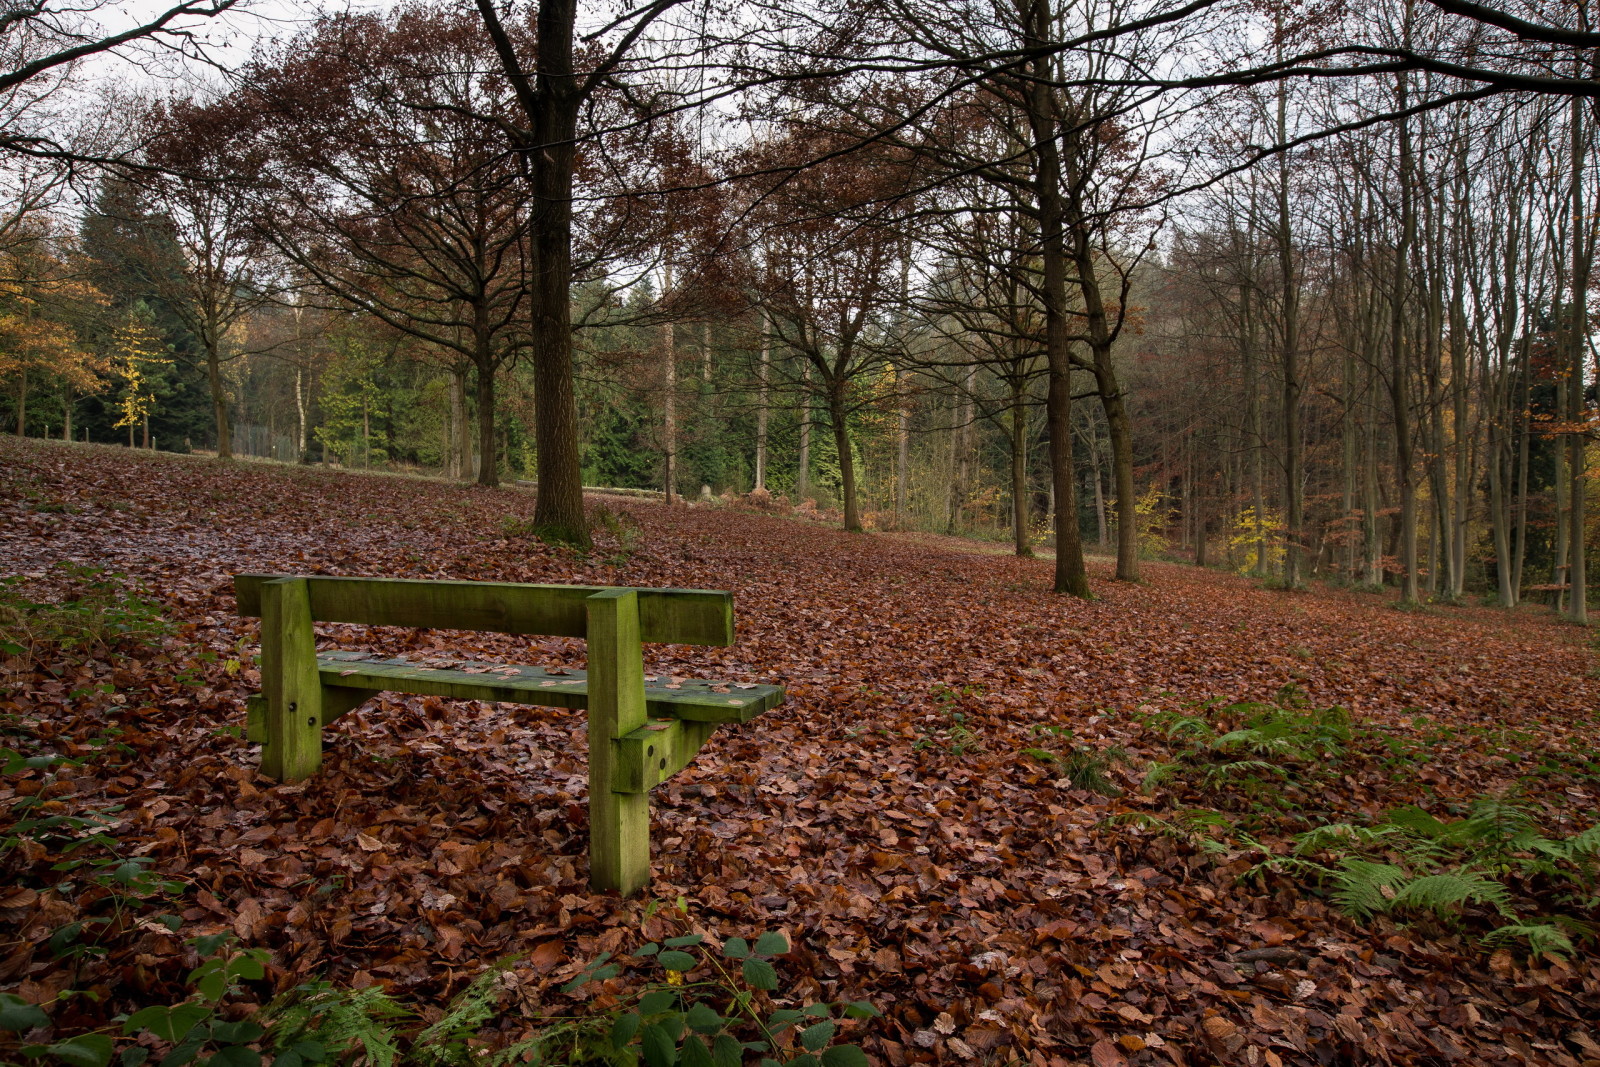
column 639, row 733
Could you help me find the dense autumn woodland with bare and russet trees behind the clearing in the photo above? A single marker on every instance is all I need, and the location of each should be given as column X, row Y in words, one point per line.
column 1086, row 273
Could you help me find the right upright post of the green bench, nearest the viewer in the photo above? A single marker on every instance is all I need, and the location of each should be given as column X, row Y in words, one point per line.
column 618, row 823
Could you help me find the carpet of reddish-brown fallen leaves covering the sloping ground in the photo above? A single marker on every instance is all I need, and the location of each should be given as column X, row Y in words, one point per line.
column 982, row 903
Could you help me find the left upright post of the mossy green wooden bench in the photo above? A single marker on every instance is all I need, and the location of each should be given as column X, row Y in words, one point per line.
column 290, row 682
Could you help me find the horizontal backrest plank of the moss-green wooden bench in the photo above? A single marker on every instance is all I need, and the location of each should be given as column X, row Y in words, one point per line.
column 681, row 617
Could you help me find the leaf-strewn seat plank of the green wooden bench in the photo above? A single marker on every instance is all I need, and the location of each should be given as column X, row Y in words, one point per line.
column 692, row 700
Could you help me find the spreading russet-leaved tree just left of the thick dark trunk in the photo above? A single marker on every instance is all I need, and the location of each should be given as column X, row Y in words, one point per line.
column 385, row 186
